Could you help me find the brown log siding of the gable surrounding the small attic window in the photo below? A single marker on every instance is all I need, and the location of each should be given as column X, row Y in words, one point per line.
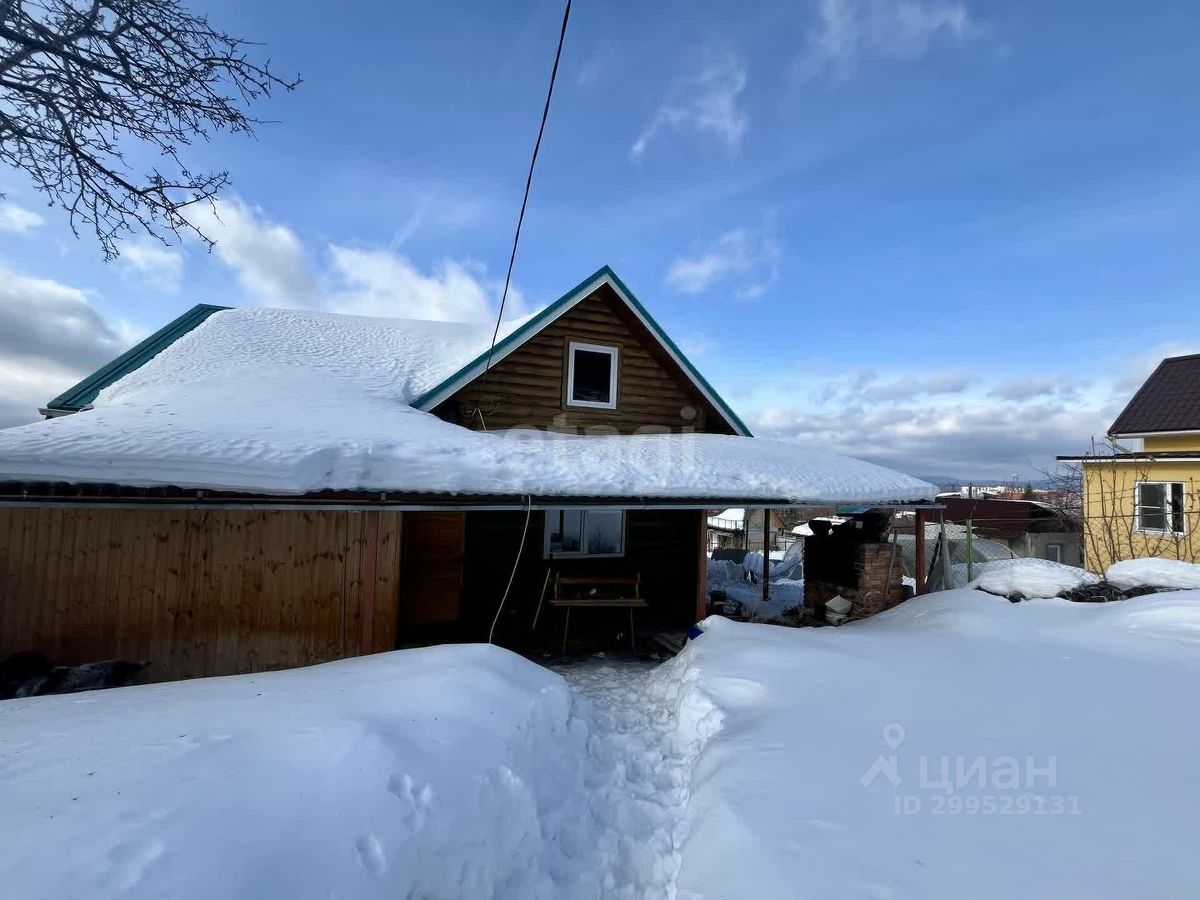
column 529, row 388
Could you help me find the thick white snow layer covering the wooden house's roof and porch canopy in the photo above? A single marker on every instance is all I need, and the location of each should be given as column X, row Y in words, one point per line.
column 287, row 403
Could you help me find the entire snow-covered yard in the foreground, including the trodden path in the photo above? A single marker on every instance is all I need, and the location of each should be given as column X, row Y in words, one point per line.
column 958, row 746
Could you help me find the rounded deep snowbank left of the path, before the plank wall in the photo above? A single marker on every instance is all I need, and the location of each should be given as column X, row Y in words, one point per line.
column 447, row 772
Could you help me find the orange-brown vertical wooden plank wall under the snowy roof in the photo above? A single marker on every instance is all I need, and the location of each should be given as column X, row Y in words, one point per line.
column 199, row 592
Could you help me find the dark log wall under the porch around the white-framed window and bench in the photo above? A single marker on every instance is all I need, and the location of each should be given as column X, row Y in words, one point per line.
column 662, row 545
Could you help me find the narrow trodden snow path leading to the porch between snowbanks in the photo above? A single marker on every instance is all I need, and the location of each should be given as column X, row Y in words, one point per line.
column 638, row 782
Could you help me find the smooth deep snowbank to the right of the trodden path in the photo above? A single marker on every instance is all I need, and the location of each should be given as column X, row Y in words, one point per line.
column 784, row 802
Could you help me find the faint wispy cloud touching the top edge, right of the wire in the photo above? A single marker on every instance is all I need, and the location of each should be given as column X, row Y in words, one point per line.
column 850, row 31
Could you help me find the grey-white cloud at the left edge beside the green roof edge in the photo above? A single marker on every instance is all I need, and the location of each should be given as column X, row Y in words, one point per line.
column 51, row 337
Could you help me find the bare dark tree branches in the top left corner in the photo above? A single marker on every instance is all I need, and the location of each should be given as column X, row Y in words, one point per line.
column 82, row 82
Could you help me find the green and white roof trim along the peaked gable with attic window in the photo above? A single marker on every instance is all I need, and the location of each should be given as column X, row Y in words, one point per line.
column 605, row 274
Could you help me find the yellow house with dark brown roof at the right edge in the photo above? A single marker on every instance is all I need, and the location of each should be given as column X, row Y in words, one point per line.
column 1143, row 497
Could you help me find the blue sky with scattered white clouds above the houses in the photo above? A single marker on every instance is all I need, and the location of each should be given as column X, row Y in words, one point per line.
column 949, row 237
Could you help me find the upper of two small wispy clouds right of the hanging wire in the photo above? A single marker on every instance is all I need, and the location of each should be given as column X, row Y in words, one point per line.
column 706, row 104
